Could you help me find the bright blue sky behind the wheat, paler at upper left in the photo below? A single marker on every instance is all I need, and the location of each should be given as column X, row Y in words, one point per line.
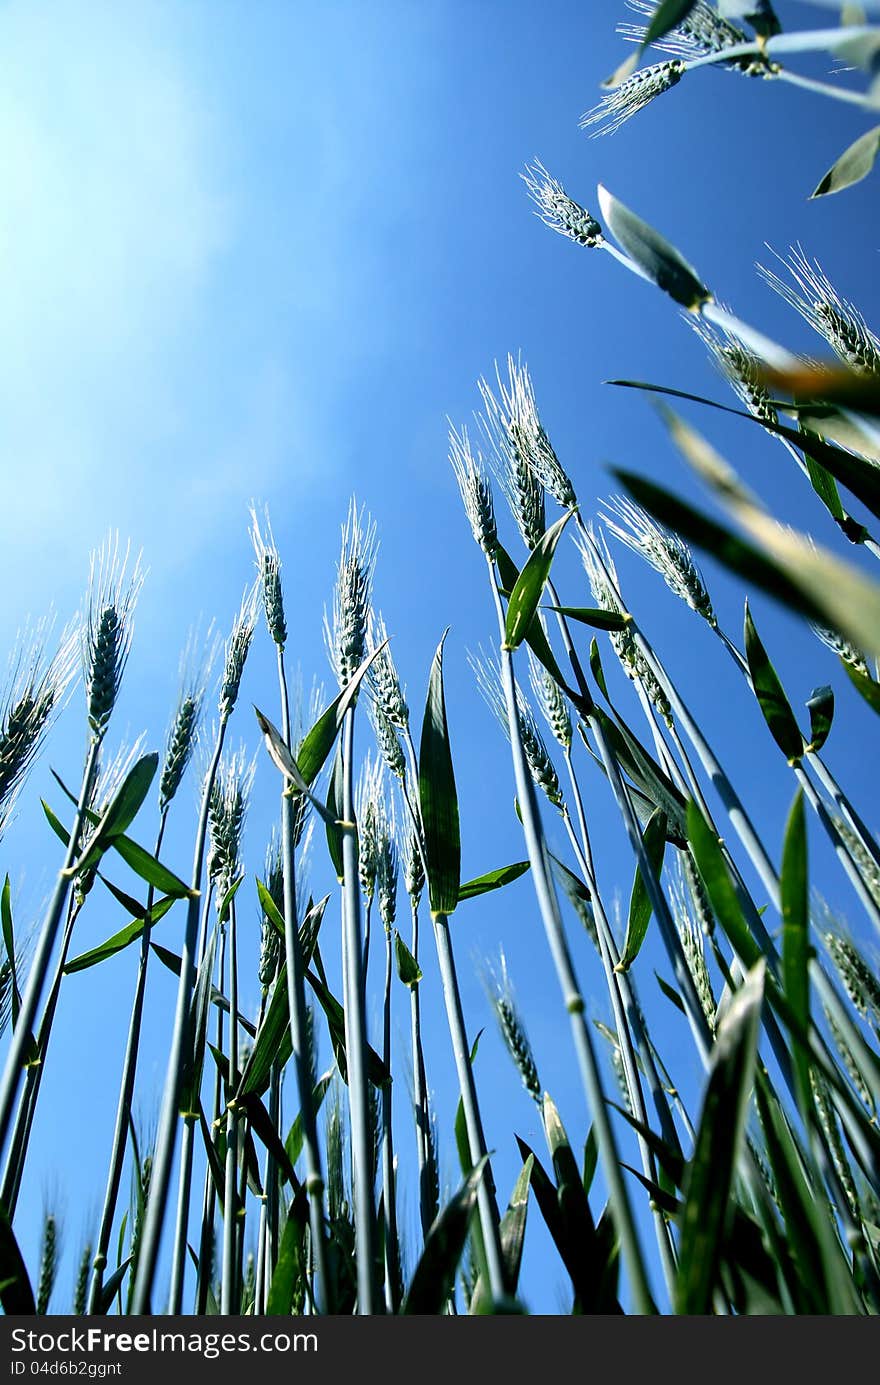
column 261, row 253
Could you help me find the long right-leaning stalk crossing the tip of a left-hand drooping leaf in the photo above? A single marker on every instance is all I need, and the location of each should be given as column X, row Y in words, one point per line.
column 170, row 1118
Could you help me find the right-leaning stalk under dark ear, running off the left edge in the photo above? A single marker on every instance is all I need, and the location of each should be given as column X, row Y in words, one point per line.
column 39, row 967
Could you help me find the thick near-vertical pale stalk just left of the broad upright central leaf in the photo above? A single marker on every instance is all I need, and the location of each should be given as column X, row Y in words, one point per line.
column 357, row 1037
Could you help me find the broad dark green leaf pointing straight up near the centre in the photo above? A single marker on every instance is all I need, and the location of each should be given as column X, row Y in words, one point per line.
column 439, row 797
